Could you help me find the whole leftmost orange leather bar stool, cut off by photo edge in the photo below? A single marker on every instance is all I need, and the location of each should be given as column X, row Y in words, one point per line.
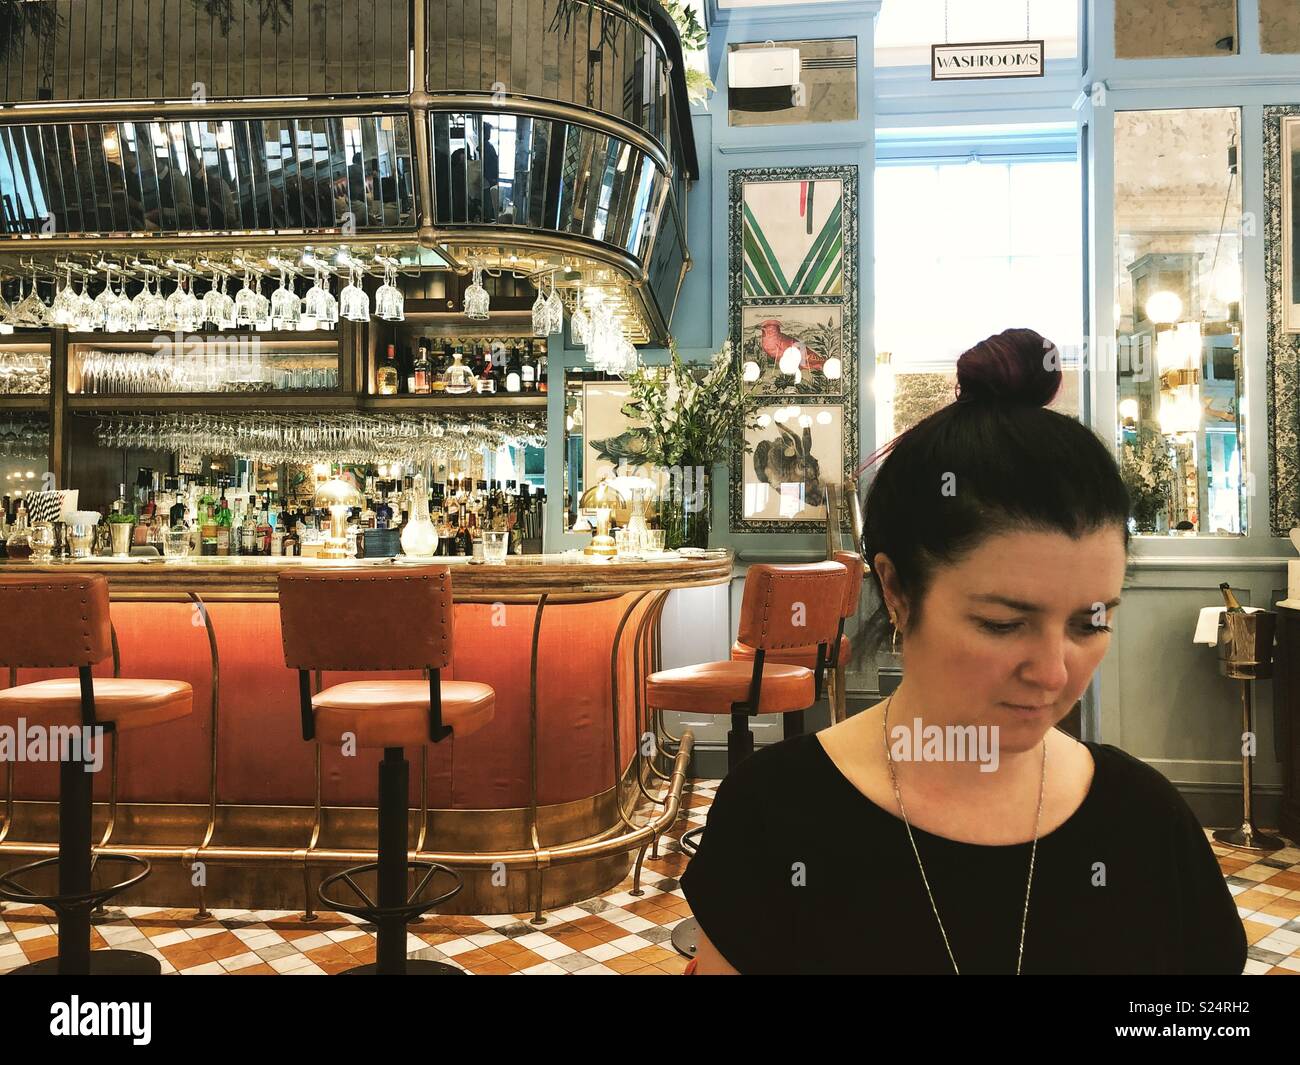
column 63, row 622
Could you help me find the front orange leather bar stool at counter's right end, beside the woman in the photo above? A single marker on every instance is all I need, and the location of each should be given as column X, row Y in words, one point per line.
column 785, row 609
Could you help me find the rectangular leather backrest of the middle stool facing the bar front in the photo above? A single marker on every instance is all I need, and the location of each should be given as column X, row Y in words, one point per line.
column 367, row 620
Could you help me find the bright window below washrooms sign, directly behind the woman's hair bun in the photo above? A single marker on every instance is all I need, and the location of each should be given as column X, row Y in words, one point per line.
column 965, row 250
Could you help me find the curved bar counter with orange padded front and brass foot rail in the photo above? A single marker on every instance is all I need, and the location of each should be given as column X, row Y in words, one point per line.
column 535, row 809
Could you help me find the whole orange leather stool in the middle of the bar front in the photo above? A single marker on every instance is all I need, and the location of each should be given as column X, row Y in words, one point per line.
column 328, row 624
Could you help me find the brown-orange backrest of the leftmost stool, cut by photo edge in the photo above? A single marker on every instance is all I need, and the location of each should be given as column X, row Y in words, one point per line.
column 54, row 621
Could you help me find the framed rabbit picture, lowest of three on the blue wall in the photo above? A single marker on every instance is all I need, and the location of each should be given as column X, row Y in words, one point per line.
column 794, row 452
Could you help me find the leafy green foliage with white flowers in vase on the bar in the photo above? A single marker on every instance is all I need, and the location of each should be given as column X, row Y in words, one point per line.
column 694, row 412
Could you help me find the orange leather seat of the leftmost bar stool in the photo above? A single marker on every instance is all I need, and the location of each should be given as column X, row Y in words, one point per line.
column 127, row 703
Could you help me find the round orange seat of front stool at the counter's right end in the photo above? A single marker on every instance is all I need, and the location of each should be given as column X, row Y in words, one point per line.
column 717, row 687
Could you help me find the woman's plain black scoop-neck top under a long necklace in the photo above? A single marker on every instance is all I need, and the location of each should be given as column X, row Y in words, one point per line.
column 801, row 873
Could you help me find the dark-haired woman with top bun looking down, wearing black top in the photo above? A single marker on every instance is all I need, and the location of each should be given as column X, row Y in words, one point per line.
column 952, row 828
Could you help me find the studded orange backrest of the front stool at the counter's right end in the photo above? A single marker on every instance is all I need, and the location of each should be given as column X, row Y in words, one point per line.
column 792, row 607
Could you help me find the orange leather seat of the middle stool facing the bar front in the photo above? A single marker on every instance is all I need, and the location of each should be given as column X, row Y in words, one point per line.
column 396, row 713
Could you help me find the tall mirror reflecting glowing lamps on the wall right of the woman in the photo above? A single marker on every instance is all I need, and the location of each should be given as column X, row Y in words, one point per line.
column 1178, row 322
